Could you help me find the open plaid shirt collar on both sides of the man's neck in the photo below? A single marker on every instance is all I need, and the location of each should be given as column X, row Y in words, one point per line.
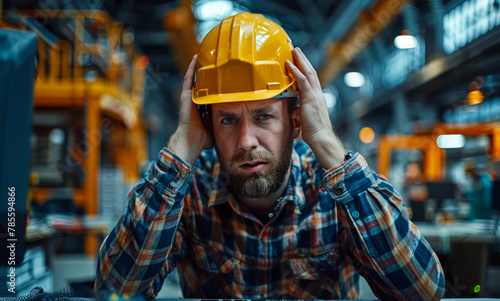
column 293, row 192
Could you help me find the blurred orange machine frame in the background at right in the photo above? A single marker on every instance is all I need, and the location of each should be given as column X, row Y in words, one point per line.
column 434, row 157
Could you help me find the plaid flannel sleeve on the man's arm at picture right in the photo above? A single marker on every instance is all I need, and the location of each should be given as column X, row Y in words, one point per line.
column 387, row 248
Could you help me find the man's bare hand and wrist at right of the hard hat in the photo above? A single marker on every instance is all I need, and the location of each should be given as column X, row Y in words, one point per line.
column 315, row 122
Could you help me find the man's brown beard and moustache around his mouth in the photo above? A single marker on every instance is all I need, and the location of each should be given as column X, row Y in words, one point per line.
column 258, row 184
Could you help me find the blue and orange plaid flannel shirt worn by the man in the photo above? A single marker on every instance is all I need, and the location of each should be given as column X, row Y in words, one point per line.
column 328, row 227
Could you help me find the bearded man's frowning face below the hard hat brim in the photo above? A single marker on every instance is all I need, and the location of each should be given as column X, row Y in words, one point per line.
column 254, row 143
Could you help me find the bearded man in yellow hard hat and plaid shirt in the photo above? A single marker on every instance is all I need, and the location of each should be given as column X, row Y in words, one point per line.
column 260, row 216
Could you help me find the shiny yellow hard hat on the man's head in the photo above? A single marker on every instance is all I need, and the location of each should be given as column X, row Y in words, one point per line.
column 242, row 59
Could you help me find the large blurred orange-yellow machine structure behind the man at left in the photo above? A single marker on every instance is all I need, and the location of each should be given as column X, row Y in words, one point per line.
column 116, row 94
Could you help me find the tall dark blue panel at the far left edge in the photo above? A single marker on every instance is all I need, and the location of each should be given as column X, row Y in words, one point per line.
column 17, row 75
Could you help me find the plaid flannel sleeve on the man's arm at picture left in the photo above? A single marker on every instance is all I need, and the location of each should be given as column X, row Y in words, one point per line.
column 145, row 245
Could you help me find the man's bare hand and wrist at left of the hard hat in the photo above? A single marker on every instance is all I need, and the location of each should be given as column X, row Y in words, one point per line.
column 191, row 136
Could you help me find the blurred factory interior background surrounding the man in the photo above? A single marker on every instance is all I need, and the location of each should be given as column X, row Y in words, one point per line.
column 413, row 86
